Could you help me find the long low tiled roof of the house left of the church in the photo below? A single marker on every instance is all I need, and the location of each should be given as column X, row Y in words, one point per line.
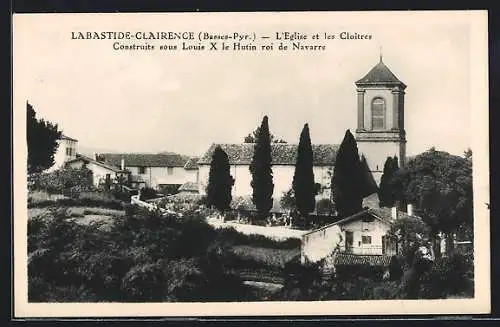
column 145, row 159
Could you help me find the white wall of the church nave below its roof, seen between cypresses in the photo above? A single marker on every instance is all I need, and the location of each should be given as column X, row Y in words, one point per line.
column 282, row 178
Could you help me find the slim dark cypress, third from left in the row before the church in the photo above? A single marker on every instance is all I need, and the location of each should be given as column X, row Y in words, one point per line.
column 303, row 184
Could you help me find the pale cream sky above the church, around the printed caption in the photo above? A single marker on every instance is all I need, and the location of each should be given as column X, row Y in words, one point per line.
column 157, row 101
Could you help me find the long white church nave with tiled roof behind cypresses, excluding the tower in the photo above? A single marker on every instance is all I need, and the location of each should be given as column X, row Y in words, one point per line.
column 283, row 164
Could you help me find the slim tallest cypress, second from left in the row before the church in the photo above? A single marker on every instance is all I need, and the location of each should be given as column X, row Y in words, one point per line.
column 261, row 170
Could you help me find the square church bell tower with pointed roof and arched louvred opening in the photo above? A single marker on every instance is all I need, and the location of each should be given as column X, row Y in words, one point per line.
column 380, row 132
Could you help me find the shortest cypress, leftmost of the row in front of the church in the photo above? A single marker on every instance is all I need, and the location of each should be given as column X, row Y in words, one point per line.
column 220, row 181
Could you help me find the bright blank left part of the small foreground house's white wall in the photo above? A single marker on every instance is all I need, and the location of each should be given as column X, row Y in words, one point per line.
column 320, row 244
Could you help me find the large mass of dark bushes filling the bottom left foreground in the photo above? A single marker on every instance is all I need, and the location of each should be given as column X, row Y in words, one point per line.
column 144, row 257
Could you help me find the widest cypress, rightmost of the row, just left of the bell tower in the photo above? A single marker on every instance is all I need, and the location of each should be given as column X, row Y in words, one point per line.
column 350, row 182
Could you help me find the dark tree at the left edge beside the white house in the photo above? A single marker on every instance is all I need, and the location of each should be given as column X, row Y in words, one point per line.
column 42, row 142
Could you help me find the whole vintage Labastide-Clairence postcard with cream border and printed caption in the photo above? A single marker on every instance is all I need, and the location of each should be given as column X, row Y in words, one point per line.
column 251, row 164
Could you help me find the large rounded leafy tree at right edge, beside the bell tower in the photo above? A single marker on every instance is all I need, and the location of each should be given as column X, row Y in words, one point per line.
column 440, row 187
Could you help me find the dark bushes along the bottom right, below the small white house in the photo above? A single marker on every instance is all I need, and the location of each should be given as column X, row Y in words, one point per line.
column 446, row 277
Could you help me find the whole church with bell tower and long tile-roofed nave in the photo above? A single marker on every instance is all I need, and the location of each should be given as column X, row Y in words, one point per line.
column 380, row 133
